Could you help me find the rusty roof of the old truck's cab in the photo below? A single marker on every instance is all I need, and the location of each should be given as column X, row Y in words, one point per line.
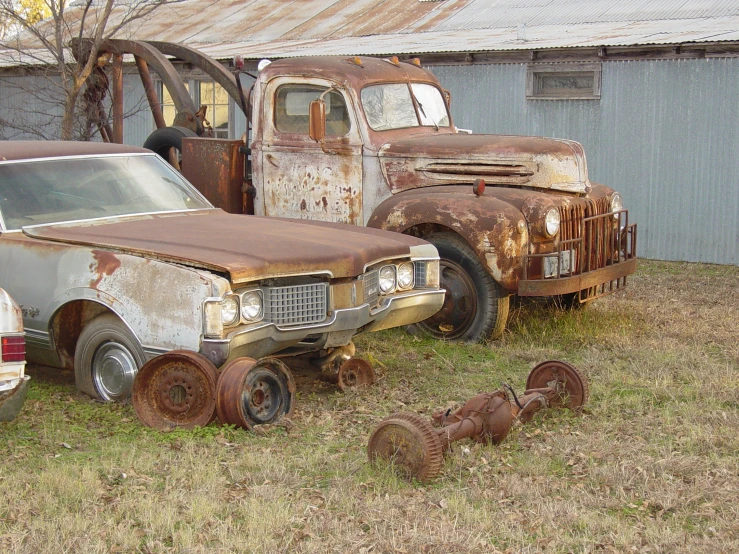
column 343, row 68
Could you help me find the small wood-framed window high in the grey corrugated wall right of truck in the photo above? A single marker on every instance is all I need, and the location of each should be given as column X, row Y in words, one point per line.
column 563, row 82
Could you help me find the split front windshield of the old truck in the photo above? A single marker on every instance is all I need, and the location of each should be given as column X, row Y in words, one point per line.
column 390, row 106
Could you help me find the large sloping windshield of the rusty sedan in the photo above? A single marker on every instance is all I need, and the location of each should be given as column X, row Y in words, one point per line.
column 69, row 189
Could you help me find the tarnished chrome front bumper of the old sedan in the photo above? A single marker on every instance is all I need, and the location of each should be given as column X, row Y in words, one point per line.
column 261, row 340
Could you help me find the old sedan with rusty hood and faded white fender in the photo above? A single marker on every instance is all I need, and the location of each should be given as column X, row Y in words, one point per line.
column 115, row 259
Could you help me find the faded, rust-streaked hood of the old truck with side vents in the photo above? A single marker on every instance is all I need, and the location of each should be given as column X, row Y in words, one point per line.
column 429, row 160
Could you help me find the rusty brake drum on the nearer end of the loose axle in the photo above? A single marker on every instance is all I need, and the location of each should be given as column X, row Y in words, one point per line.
column 410, row 443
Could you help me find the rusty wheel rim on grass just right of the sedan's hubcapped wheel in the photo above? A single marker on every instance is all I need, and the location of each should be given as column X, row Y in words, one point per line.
column 175, row 390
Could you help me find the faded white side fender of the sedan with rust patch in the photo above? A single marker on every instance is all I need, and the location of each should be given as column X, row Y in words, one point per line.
column 160, row 302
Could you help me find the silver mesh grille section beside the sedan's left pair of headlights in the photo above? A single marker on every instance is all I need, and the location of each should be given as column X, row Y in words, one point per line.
column 295, row 305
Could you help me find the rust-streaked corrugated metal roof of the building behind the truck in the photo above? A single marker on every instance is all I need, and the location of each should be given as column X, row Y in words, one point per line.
column 279, row 28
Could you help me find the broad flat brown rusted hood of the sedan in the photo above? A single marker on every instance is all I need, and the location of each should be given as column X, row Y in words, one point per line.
column 247, row 248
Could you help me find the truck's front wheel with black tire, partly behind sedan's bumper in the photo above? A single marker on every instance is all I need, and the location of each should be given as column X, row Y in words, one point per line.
column 474, row 307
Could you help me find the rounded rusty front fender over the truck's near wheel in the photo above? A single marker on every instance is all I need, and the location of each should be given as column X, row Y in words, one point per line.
column 489, row 225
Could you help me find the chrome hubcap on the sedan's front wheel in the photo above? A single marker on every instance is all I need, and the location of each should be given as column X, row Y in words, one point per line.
column 113, row 371
